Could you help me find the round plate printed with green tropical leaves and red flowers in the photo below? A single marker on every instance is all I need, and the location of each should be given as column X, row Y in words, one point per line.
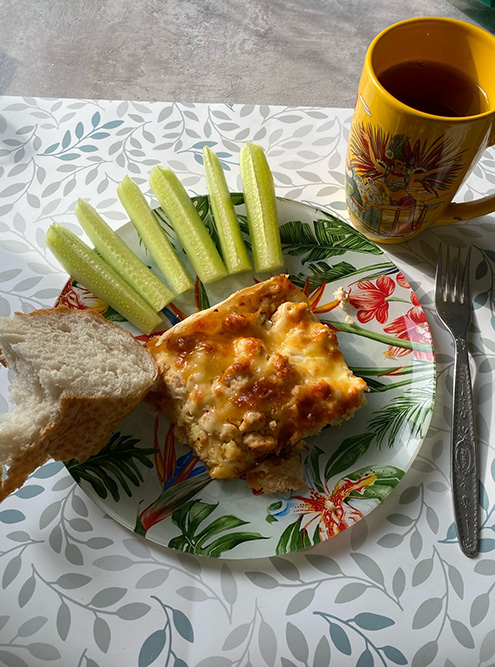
column 163, row 492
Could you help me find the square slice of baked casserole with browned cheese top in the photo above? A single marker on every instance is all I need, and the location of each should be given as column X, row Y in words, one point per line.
column 246, row 380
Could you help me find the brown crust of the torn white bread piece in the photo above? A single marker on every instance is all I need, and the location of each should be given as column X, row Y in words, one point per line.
column 83, row 424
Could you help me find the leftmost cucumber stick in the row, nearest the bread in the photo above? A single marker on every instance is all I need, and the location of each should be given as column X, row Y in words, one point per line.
column 89, row 269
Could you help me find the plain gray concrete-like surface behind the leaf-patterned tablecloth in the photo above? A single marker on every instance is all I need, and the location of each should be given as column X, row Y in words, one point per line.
column 290, row 52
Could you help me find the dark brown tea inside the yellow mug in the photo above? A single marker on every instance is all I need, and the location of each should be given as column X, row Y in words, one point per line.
column 434, row 88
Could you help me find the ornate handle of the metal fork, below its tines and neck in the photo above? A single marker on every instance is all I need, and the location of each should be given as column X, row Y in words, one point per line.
column 465, row 486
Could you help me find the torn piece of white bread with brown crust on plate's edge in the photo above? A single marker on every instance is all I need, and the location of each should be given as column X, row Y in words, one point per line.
column 77, row 376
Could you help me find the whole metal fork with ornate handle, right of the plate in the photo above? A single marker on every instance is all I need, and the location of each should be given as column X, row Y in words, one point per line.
column 454, row 306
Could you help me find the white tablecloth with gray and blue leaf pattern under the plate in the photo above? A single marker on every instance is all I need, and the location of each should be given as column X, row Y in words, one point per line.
column 78, row 589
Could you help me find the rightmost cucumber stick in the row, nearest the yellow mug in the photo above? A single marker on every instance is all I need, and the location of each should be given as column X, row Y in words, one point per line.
column 261, row 208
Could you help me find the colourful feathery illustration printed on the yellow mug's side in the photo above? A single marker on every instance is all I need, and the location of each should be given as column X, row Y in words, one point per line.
column 392, row 183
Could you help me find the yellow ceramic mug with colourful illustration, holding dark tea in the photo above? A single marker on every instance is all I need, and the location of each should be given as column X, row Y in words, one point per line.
column 425, row 111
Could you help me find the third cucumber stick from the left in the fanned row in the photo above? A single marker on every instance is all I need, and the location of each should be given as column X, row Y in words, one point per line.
column 153, row 236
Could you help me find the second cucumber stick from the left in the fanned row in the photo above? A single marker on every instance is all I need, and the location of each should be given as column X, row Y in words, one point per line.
column 120, row 257
